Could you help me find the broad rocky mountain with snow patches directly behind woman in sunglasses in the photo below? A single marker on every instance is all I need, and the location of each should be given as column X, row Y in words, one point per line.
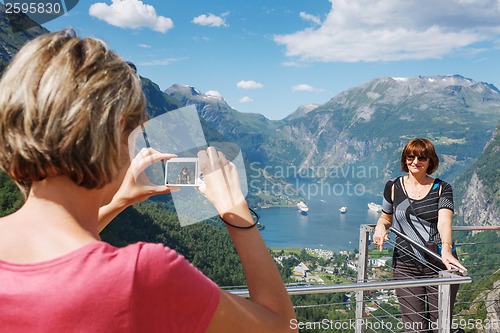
column 385, row 112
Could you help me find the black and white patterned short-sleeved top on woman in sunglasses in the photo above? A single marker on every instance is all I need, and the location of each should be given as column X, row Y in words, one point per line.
column 422, row 215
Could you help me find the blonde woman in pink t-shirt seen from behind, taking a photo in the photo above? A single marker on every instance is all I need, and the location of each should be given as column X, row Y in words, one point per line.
column 67, row 106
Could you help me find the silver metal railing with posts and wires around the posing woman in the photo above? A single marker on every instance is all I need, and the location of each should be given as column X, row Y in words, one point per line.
column 363, row 285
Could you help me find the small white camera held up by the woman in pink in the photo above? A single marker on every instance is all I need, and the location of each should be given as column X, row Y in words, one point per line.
column 183, row 171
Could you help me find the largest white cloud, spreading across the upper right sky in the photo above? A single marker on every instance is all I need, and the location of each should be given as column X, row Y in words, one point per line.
column 393, row 30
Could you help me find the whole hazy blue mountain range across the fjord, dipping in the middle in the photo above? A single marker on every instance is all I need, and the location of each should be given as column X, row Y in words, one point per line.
column 358, row 134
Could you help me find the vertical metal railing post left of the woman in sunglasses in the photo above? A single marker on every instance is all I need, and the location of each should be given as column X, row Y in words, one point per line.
column 364, row 232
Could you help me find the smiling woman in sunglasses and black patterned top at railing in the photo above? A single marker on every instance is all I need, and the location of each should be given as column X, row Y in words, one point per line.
column 420, row 207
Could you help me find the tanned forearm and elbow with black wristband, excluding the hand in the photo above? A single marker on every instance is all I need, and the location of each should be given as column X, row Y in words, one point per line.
column 270, row 308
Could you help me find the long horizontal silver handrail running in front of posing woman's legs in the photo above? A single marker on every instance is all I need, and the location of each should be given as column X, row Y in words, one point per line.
column 365, row 286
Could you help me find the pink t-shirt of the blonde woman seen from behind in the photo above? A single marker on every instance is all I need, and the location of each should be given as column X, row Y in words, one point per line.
column 99, row 288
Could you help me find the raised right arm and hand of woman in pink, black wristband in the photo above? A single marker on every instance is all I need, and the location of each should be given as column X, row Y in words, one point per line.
column 269, row 308
